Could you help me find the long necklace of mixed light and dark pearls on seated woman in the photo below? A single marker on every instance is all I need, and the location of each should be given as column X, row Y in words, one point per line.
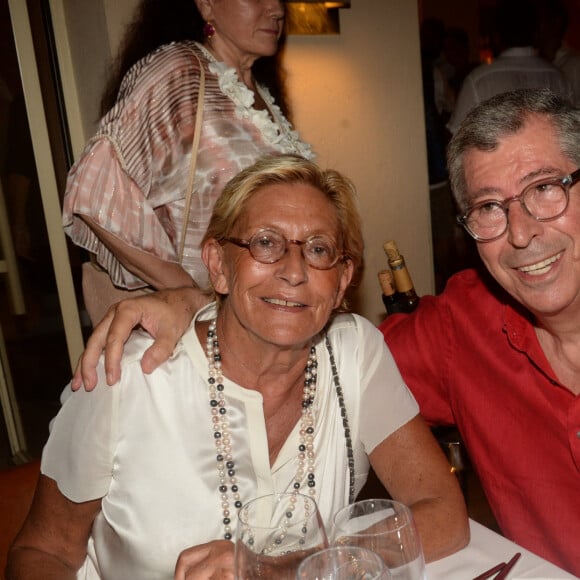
column 226, row 466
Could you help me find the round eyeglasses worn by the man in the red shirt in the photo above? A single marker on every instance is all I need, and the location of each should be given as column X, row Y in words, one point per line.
column 544, row 200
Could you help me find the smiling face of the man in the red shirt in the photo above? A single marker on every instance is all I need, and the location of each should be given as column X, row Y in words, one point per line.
column 538, row 263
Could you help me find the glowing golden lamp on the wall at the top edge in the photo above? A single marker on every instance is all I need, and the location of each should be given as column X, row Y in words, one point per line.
column 313, row 16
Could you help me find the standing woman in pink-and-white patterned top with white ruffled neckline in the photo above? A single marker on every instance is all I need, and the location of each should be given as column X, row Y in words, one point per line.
column 126, row 195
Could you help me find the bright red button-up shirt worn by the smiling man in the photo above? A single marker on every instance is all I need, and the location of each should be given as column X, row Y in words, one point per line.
column 472, row 358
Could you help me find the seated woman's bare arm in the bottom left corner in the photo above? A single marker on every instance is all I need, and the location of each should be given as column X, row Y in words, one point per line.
column 52, row 543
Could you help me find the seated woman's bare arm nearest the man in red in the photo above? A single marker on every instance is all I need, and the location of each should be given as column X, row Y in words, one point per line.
column 414, row 470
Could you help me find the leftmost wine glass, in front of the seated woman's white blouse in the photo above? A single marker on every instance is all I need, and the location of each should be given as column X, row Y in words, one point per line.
column 275, row 533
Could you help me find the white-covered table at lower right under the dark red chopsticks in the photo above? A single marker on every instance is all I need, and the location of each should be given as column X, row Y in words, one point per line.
column 486, row 549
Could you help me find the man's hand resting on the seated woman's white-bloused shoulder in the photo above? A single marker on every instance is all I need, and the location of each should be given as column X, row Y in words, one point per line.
column 165, row 315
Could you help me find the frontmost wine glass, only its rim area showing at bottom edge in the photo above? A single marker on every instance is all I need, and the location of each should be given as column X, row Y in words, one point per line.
column 343, row 563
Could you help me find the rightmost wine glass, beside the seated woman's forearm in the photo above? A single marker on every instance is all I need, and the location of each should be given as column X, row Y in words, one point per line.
column 386, row 527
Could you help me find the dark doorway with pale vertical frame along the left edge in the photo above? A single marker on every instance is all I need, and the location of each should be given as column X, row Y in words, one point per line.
column 40, row 329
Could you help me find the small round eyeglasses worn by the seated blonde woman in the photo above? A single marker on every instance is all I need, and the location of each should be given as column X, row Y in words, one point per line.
column 269, row 246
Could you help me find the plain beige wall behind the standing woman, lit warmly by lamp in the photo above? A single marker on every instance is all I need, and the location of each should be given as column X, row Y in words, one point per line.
column 357, row 98
